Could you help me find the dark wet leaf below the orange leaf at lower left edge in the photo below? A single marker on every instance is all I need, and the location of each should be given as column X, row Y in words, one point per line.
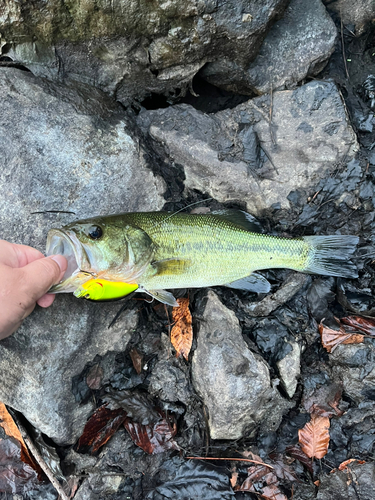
column 16, row 476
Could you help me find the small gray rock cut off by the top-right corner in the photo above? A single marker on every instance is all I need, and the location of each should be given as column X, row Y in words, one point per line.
column 360, row 13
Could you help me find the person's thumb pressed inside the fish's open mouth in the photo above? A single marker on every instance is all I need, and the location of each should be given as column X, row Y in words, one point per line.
column 41, row 274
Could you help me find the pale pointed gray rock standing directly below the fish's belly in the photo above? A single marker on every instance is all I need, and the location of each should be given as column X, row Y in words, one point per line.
column 235, row 385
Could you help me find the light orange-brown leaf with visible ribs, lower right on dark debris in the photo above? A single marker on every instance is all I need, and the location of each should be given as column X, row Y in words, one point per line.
column 314, row 437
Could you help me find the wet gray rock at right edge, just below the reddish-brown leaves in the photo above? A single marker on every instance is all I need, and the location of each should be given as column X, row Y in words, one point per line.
column 353, row 365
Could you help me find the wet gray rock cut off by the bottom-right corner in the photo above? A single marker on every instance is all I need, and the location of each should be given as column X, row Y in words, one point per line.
column 360, row 483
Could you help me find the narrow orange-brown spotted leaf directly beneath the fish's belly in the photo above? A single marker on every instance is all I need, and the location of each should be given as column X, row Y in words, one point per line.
column 182, row 330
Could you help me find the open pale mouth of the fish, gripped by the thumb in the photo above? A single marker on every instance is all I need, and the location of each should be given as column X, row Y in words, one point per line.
column 68, row 245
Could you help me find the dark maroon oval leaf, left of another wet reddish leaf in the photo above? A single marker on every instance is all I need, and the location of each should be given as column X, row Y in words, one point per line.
column 99, row 428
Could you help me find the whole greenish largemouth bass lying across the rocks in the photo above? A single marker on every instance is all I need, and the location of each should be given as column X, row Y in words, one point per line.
column 153, row 252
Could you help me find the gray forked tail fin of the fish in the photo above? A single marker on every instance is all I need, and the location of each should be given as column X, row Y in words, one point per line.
column 330, row 255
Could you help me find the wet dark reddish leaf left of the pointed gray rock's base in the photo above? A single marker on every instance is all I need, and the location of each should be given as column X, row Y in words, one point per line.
column 153, row 439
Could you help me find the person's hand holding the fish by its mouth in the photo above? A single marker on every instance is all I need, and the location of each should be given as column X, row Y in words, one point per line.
column 25, row 277
